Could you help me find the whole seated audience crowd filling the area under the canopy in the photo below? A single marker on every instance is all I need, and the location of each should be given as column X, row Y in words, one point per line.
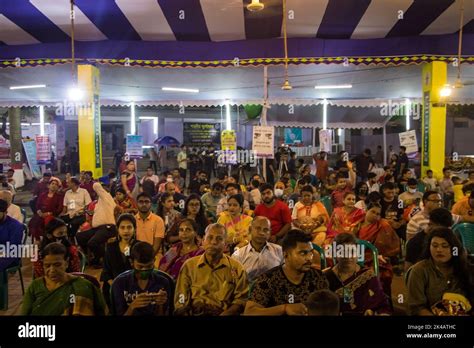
column 214, row 245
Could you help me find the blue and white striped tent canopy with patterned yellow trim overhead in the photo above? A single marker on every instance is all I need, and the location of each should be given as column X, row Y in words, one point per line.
column 208, row 33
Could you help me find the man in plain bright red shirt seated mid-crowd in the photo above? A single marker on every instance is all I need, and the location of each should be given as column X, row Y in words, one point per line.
column 276, row 211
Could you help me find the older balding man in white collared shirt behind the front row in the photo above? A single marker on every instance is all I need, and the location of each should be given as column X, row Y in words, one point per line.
column 259, row 255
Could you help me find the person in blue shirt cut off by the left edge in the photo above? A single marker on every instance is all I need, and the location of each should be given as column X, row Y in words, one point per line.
column 11, row 233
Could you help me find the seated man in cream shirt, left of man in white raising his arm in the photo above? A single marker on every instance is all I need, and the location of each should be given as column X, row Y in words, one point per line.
column 75, row 203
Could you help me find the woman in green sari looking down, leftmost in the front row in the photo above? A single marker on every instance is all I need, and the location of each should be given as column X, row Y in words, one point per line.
column 53, row 293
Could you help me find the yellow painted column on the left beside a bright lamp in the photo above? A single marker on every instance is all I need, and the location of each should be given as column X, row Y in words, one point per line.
column 90, row 143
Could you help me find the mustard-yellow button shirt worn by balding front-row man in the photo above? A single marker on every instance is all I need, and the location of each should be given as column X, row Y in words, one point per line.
column 222, row 286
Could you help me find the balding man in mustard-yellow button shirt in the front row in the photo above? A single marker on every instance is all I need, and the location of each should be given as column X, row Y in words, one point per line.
column 212, row 283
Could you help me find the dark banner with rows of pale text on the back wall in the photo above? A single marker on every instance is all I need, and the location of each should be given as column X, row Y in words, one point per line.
column 201, row 134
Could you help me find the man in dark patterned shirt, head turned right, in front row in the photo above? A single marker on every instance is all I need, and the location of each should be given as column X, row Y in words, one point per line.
column 284, row 289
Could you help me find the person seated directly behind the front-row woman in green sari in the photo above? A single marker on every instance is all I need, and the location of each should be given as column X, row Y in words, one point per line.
column 56, row 232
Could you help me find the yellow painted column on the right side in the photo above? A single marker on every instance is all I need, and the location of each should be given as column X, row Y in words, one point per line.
column 434, row 77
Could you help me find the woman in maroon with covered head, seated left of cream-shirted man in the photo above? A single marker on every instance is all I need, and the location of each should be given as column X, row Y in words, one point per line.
column 48, row 206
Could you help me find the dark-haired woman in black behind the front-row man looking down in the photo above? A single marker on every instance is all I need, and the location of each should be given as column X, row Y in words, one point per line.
column 117, row 252
